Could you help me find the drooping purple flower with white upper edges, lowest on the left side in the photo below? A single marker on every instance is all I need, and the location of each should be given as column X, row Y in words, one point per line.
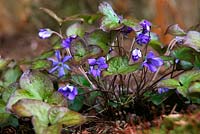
column 68, row 91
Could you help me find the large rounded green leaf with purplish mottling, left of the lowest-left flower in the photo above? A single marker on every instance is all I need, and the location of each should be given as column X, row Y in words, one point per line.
column 37, row 83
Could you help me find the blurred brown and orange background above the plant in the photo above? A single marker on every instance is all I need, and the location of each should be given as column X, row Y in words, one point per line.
column 21, row 19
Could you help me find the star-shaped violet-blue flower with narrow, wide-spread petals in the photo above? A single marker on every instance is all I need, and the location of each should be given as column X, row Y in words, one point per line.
column 59, row 64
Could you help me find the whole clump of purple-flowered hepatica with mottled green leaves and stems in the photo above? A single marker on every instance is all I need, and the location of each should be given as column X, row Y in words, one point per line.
column 95, row 69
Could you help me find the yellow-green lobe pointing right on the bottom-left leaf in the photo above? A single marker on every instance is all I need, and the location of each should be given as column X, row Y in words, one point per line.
column 62, row 115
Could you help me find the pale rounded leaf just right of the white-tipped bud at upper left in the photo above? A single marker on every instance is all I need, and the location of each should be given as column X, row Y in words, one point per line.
column 75, row 29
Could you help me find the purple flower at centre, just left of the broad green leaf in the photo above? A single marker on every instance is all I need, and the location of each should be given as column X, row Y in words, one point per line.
column 96, row 66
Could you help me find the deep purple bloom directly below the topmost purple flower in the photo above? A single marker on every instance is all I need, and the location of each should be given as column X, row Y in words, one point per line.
column 142, row 39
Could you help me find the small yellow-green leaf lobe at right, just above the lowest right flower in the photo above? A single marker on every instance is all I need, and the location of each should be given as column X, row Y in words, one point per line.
column 169, row 83
